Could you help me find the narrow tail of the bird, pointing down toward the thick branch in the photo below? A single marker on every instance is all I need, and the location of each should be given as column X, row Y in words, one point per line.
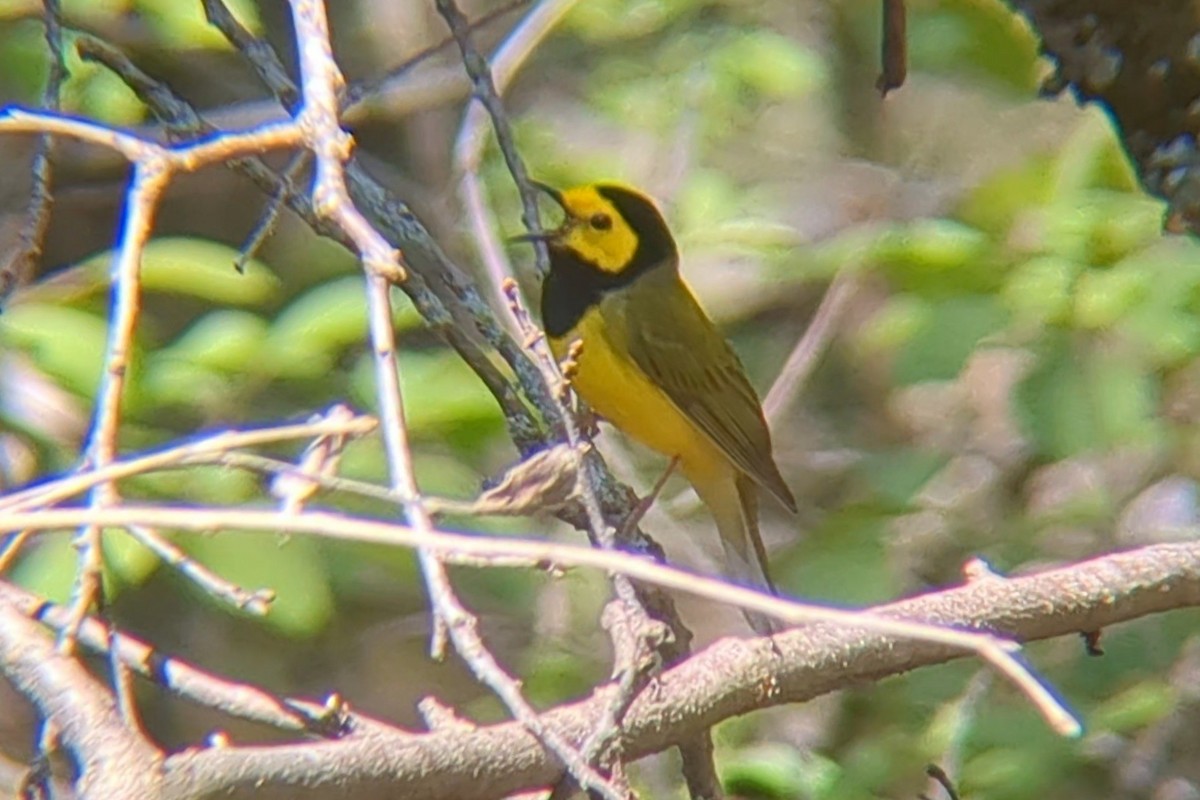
column 734, row 503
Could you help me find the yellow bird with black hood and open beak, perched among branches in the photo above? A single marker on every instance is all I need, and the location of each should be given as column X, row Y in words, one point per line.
column 655, row 365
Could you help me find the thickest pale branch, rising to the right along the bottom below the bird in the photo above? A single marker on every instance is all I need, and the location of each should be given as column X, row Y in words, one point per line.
column 730, row 678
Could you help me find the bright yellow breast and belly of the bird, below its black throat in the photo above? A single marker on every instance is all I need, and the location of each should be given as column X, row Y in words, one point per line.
column 621, row 393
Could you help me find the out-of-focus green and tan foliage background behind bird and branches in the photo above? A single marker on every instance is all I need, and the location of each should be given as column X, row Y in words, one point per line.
column 1015, row 374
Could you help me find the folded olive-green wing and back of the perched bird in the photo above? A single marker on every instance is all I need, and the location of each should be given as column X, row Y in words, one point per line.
column 671, row 339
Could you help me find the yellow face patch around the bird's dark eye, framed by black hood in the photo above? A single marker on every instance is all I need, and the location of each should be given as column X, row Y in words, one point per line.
column 596, row 231
